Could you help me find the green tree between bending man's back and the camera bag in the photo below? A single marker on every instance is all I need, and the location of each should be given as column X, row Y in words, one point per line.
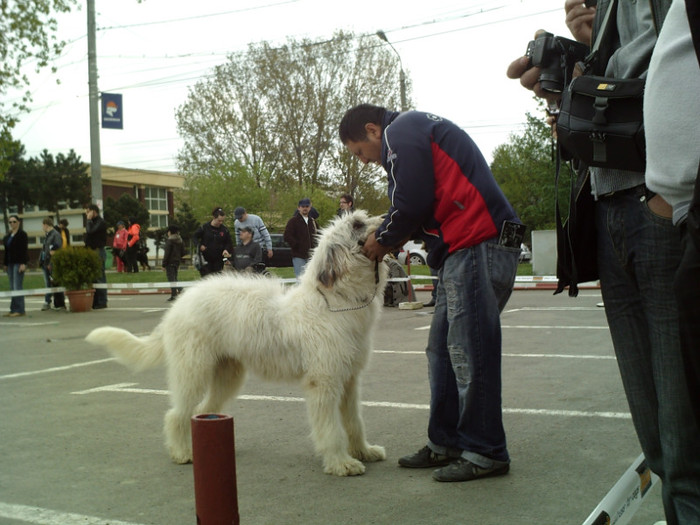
column 525, row 169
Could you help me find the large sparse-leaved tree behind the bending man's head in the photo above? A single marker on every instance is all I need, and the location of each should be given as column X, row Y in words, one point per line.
column 272, row 114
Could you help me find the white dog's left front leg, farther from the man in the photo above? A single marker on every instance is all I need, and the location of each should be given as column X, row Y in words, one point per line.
column 327, row 432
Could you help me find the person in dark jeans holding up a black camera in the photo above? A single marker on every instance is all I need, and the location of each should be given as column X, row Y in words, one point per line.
column 638, row 251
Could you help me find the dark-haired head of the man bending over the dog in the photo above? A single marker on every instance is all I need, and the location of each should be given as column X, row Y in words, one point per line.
column 361, row 131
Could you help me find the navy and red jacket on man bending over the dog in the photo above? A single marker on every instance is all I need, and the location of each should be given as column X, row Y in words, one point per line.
column 440, row 185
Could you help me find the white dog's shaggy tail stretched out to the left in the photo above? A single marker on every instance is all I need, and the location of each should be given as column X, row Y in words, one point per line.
column 137, row 353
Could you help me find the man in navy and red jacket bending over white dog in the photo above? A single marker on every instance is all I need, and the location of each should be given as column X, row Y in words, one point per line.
column 424, row 154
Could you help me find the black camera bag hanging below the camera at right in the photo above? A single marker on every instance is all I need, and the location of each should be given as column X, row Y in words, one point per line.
column 601, row 124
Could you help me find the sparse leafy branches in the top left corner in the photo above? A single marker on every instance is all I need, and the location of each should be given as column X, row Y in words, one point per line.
column 27, row 35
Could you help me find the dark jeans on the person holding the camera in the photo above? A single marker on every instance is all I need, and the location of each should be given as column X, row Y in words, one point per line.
column 638, row 254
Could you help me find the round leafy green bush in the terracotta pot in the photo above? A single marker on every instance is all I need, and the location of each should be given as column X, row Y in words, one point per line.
column 76, row 267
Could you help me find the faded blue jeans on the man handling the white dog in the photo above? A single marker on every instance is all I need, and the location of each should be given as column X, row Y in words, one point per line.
column 464, row 353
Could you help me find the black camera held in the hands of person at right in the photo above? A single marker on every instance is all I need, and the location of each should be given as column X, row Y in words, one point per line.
column 556, row 57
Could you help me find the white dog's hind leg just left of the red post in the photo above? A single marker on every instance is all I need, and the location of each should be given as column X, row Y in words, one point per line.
column 188, row 376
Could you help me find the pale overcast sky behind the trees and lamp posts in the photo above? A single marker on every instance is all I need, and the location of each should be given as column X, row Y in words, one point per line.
column 455, row 53
